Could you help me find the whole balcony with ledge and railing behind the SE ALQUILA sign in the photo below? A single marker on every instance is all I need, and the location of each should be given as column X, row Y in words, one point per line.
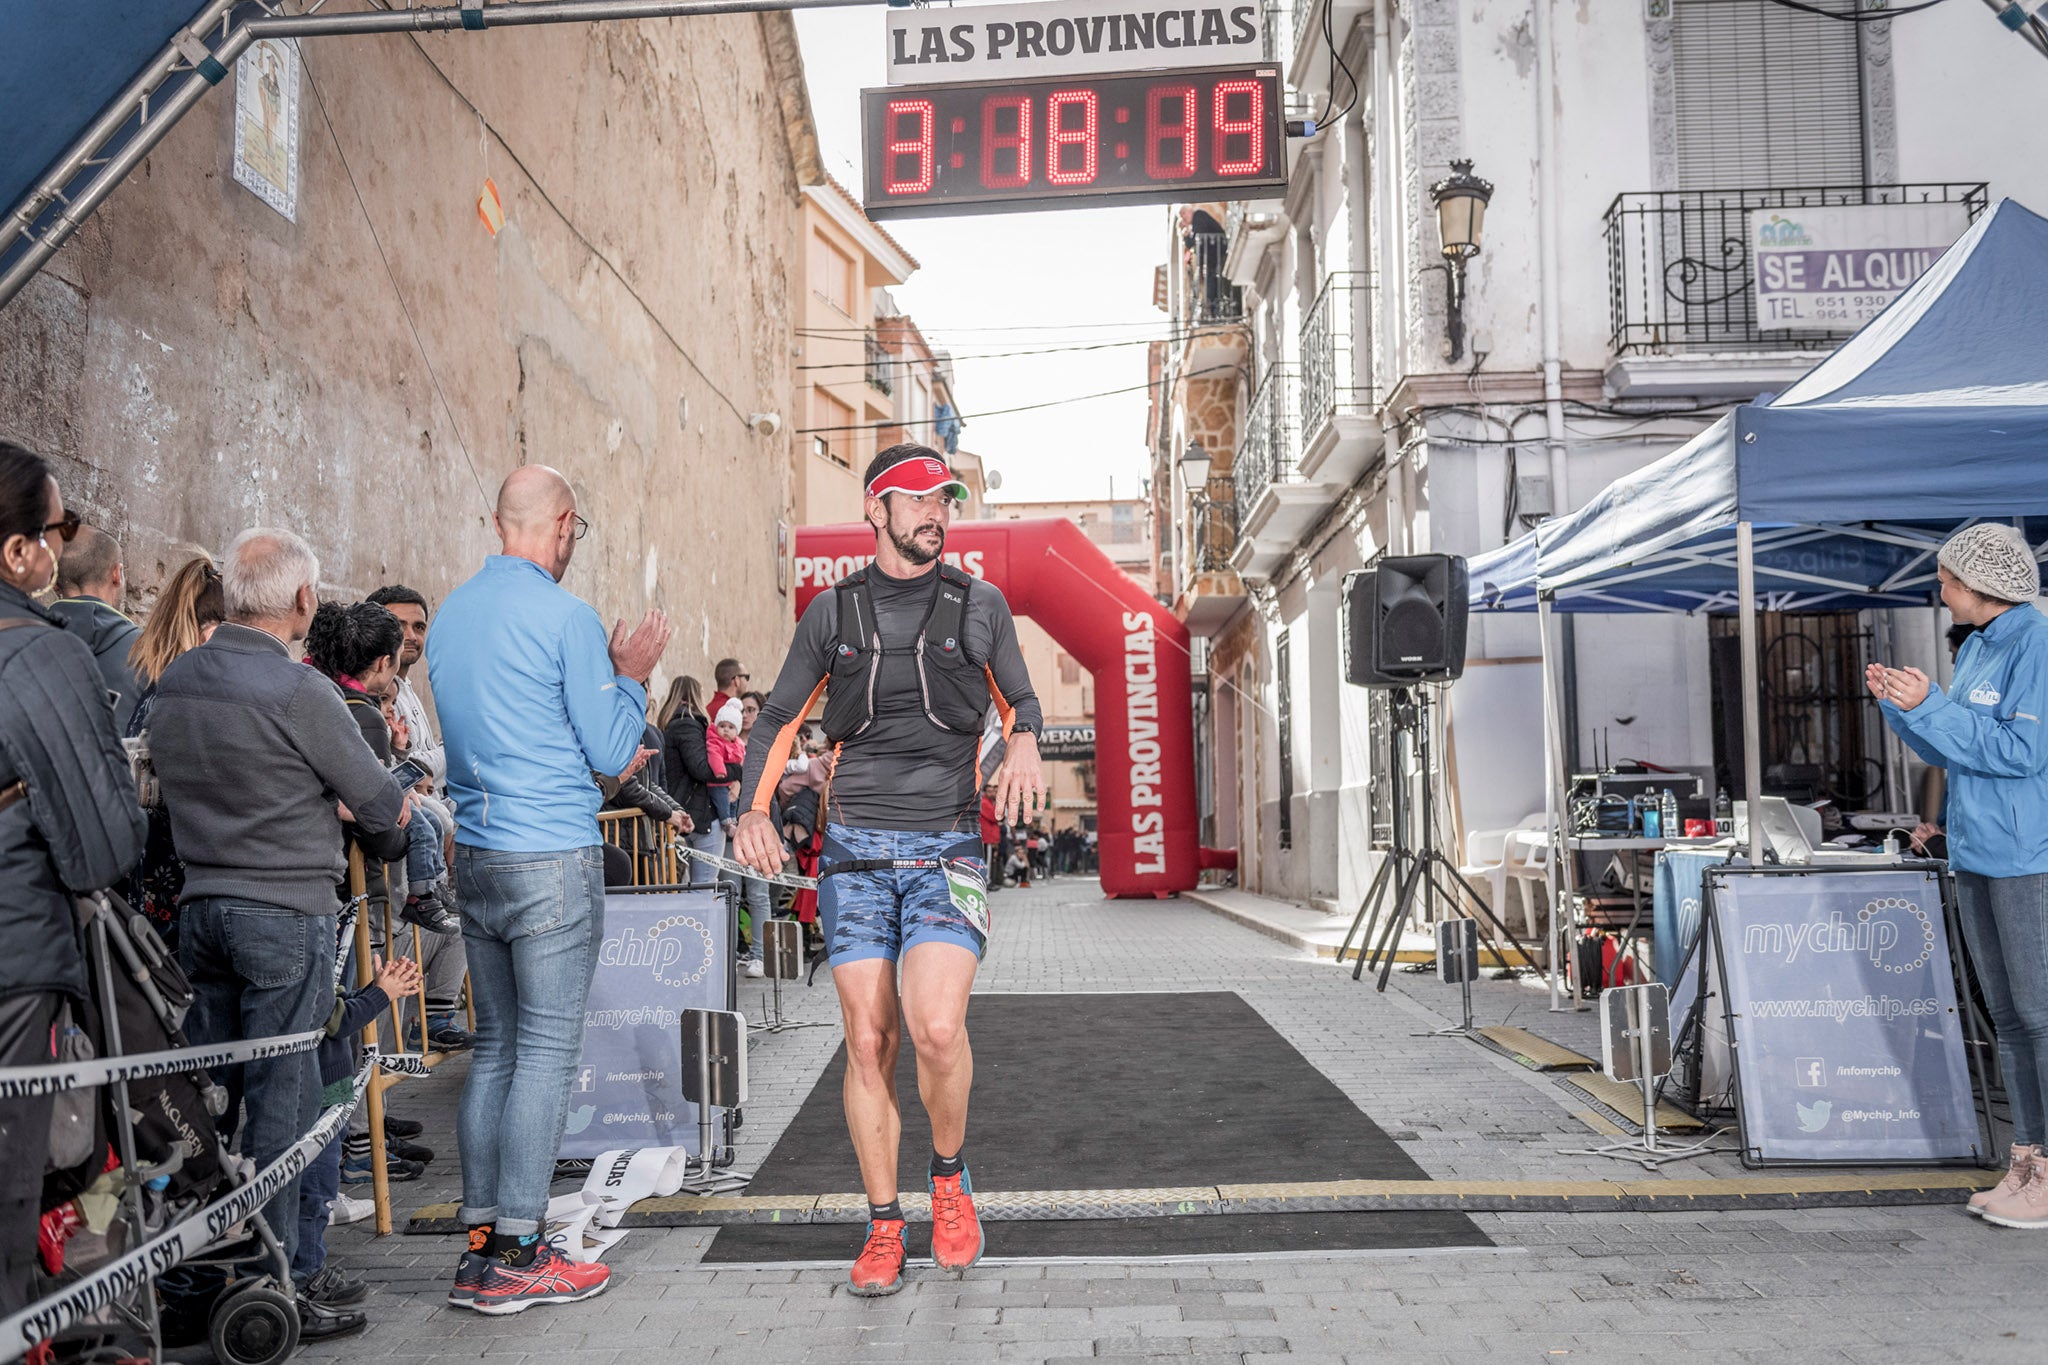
column 1680, row 285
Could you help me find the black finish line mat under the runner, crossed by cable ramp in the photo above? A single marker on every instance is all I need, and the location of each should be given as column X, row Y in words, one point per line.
column 1115, row 1094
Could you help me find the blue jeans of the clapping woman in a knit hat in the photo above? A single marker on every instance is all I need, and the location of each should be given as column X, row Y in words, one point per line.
column 2006, row 926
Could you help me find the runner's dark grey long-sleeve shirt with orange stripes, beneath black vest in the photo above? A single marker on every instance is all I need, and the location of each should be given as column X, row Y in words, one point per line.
column 902, row 773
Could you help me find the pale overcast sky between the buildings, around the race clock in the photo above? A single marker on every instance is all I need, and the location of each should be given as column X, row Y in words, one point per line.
column 1015, row 281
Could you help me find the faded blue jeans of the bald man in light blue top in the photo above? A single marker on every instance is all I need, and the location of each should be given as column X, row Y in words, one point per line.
column 531, row 928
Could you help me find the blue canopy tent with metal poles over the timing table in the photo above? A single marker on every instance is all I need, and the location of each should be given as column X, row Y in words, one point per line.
column 1836, row 492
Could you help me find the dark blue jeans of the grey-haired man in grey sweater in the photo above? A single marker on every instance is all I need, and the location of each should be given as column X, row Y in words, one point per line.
column 261, row 971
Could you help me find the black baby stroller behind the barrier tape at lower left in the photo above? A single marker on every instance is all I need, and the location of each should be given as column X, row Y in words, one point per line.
column 237, row 1294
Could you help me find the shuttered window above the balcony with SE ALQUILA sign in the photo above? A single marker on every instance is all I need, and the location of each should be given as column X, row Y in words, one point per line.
column 1766, row 95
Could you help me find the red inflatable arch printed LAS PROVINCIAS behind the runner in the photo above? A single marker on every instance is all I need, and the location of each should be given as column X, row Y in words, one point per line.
column 1146, row 820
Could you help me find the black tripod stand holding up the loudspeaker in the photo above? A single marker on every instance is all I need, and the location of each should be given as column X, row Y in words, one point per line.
column 1414, row 875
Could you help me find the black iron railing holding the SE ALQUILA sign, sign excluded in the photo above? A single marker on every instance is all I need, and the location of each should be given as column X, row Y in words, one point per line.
column 1680, row 273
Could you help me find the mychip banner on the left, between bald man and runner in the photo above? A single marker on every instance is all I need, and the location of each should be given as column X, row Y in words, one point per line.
column 663, row 953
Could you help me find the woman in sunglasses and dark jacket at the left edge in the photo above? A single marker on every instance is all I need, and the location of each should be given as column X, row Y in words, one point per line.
column 69, row 824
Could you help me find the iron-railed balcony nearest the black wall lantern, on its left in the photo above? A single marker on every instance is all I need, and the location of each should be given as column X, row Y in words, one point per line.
column 1340, row 431
